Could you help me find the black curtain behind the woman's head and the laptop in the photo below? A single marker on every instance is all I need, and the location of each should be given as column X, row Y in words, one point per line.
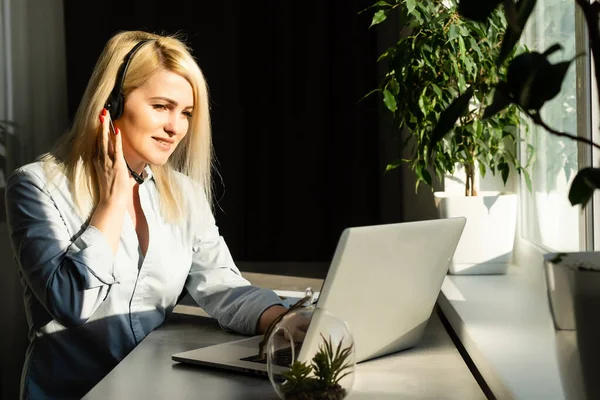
column 298, row 152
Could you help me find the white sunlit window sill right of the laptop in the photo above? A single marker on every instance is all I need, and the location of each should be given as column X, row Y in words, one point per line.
column 505, row 325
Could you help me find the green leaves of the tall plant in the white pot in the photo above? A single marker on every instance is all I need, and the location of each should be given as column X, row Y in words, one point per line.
column 440, row 76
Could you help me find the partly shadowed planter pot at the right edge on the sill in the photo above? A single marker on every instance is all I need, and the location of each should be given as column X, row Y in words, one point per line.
column 574, row 297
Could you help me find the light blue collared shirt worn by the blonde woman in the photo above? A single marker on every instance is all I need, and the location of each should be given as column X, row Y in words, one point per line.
column 87, row 307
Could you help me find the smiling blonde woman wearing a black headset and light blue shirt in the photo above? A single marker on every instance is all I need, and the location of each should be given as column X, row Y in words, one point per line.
column 112, row 225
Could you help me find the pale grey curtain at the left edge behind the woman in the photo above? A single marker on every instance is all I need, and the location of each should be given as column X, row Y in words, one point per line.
column 32, row 94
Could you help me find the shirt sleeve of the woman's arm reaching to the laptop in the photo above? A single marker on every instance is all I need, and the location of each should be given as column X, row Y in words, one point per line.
column 216, row 284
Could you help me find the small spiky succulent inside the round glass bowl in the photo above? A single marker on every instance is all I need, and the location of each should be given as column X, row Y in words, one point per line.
column 319, row 380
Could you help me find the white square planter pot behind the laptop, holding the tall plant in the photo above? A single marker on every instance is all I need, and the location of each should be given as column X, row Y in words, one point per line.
column 487, row 241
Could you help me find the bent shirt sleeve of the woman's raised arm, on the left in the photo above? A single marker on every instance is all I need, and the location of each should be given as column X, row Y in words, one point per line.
column 69, row 274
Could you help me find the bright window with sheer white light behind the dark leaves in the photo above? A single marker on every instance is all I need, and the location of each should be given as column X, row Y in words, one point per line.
column 548, row 219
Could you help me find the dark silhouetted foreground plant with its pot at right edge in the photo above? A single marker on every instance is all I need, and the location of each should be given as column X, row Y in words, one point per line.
column 532, row 80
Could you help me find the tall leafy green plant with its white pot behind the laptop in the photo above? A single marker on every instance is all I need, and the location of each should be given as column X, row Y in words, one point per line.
column 439, row 56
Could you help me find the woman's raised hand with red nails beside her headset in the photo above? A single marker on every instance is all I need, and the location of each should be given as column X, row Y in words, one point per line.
column 114, row 187
